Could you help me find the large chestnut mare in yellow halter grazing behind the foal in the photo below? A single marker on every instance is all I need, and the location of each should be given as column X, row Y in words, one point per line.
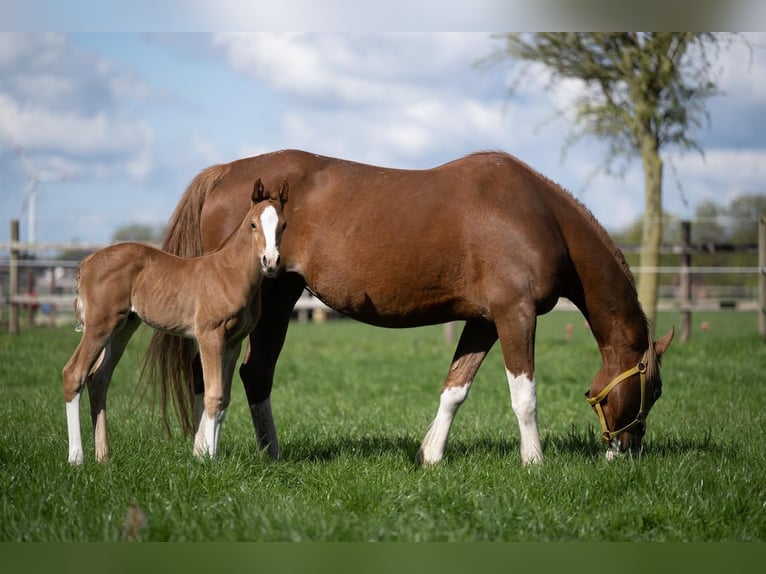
column 484, row 239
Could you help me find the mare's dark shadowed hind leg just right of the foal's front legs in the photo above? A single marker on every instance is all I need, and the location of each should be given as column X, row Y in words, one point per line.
column 265, row 344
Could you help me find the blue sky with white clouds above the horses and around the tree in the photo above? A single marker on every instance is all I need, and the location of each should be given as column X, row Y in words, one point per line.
column 117, row 124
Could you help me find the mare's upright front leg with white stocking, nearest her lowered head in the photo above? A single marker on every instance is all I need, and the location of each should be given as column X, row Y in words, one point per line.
column 516, row 328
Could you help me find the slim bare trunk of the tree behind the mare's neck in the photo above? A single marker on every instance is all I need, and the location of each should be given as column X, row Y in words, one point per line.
column 651, row 239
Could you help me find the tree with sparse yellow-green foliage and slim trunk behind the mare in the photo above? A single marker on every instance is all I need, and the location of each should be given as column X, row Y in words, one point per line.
column 643, row 92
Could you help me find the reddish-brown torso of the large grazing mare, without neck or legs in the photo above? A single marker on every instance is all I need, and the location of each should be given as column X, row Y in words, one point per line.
column 402, row 247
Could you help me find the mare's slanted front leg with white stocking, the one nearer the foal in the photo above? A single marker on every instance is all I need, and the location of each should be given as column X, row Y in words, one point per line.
column 476, row 340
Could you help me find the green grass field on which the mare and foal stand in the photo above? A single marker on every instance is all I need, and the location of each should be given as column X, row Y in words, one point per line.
column 352, row 404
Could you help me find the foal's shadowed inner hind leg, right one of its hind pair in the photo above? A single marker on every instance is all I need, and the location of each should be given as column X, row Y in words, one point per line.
column 98, row 383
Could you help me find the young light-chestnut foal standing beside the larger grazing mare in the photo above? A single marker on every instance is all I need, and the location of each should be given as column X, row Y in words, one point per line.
column 213, row 299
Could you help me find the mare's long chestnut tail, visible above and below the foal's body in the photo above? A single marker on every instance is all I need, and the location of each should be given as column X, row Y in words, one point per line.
column 168, row 360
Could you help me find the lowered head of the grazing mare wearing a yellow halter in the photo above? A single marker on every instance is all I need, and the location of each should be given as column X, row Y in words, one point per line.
column 622, row 402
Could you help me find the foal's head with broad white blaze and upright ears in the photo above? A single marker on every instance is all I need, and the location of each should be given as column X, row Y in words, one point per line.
column 266, row 218
